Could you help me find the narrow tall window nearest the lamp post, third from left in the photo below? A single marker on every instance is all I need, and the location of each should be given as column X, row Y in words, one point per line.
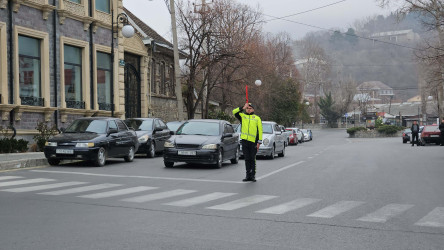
column 104, row 81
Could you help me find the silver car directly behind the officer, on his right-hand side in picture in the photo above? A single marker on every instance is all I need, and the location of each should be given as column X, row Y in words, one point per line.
column 273, row 140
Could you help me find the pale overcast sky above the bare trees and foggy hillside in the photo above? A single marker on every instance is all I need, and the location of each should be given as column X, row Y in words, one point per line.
column 340, row 14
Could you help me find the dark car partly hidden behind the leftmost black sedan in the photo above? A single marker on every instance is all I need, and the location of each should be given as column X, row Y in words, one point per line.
column 151, row 133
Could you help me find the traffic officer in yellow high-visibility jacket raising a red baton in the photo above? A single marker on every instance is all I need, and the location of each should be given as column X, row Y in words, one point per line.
column 251, row 136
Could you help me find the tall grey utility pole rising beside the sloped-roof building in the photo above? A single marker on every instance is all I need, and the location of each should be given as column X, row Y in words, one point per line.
column 178, row 85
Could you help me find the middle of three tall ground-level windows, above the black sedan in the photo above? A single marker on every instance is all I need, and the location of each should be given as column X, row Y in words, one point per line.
column 73, row 77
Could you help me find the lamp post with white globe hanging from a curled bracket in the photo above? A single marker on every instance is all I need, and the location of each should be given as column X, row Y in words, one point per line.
column 128, row 32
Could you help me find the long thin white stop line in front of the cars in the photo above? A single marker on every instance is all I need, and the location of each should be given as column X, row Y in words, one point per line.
column 141, row 177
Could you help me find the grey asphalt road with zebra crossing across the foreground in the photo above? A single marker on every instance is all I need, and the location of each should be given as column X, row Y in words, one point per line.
column 330, row 193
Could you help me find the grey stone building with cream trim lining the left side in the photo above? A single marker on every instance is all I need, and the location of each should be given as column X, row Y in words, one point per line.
column 56, row 64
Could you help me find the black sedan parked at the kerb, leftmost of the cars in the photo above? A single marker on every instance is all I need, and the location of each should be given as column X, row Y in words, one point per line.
column 94, row 139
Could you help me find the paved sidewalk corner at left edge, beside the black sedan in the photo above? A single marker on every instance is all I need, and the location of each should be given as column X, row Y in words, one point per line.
column 22, row 160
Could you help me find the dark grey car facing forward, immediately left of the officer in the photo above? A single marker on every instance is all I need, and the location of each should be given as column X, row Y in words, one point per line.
column 202, row 141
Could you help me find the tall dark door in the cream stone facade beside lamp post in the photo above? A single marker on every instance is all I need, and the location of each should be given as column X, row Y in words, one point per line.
column 132, row 87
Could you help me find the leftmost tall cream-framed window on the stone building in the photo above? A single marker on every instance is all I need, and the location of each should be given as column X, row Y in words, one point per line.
column 29, row 71
